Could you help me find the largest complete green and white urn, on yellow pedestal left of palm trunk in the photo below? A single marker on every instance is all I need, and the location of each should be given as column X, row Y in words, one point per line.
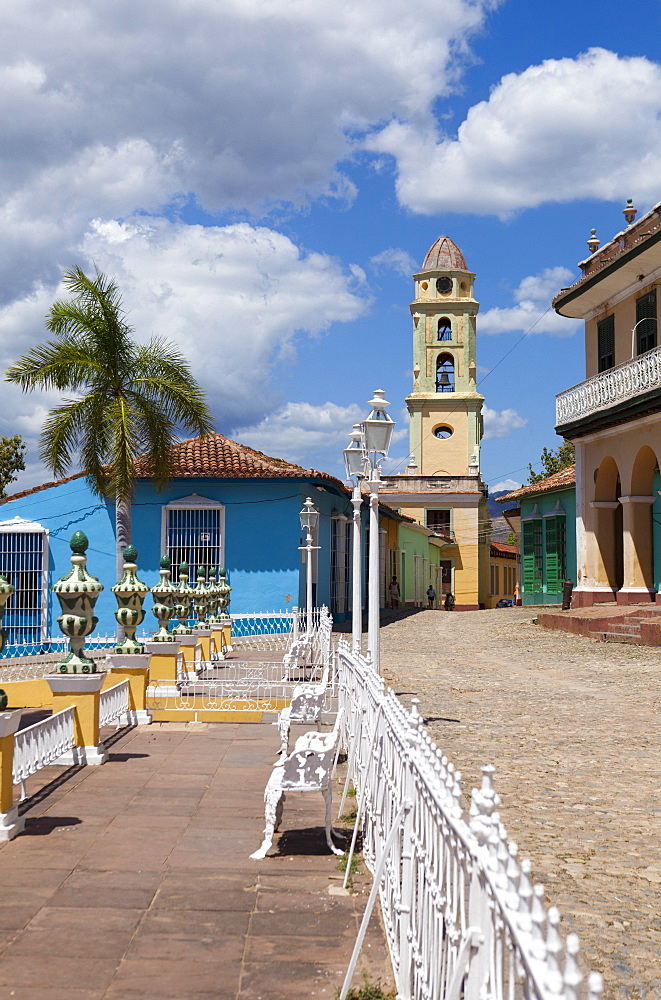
column 77, row 593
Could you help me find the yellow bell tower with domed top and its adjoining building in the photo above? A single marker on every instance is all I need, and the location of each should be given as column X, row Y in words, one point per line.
column 441, row 487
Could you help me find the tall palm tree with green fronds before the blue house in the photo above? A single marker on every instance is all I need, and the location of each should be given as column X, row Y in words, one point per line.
column 129, row 400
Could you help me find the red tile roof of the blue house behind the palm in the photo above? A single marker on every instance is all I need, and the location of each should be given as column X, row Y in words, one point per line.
column 212, row 457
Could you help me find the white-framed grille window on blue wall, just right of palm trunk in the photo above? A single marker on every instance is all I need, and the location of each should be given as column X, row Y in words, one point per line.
column 193, row 535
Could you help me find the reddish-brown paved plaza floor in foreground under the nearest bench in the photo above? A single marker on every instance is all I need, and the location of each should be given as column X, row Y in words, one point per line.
column 133, row 879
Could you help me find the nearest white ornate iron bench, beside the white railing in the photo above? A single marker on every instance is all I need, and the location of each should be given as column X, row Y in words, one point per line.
column 307, row 769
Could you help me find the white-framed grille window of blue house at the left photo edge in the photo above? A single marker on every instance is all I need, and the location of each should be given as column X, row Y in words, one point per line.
column 22, row 561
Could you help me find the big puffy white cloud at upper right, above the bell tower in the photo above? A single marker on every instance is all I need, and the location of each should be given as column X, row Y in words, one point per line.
column 566, row 129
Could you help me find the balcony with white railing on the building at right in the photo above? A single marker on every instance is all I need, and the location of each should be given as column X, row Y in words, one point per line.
column 623, row 393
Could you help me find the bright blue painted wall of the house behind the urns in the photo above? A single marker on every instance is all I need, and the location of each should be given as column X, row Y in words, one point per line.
column 262, row 535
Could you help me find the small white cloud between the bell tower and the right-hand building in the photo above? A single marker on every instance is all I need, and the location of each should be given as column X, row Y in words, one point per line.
column 532, row 312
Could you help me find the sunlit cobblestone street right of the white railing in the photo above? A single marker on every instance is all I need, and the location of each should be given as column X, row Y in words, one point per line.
column 572, row 726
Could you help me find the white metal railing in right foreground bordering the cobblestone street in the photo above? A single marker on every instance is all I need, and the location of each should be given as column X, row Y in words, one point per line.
column 462, row 916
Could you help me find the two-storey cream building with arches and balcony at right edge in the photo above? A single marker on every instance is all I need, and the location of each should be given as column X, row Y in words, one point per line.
column 614, row 416
